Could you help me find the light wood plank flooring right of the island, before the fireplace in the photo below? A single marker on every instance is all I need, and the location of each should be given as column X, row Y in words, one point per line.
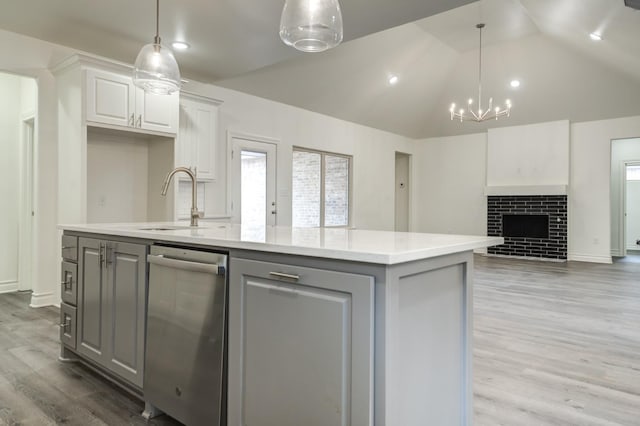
column 556, row 343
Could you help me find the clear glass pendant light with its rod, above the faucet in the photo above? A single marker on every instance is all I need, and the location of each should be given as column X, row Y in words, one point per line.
column 156, row 69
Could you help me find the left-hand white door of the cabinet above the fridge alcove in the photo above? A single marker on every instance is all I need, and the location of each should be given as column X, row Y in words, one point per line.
column 110, row 98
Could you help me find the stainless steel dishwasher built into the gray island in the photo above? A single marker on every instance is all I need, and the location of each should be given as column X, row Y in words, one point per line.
column 184, row 372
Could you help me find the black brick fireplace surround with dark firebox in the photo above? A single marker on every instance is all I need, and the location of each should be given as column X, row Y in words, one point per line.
column 533, row 226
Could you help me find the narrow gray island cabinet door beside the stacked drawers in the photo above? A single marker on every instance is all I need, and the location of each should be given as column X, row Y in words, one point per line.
column 92, row 295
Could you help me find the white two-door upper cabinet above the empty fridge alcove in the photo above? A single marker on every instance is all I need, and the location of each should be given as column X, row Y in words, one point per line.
column 112, row 99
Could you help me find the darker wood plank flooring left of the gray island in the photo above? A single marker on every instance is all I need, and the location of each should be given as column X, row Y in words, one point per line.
column 36, row 389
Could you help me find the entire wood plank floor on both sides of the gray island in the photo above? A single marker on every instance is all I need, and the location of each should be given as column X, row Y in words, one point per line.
column 555, row 344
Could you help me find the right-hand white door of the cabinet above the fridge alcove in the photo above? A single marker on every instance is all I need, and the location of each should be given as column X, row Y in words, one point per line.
column 157, row 112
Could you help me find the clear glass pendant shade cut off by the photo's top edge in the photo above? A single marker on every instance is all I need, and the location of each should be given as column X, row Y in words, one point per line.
column 311, row 25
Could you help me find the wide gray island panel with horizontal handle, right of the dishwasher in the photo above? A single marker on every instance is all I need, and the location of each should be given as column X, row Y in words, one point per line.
column 300, row 351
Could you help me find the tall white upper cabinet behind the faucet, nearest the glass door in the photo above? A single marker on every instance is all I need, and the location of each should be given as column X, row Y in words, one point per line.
column 196, row 142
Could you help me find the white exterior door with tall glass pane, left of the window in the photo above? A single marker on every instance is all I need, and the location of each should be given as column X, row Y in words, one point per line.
column 253, row 182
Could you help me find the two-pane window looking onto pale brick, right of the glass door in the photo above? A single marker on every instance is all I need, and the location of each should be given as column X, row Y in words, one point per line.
column 320, row 188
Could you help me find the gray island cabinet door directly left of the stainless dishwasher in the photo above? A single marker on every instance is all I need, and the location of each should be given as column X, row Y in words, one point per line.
column 125, row 319
